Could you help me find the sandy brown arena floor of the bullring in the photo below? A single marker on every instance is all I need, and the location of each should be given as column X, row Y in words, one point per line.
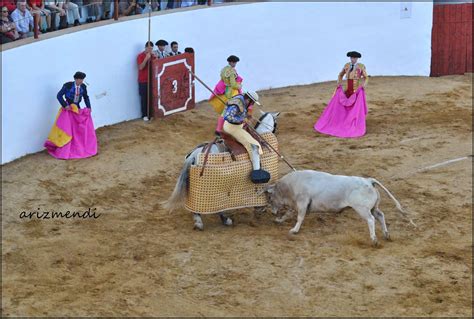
column 138, row 260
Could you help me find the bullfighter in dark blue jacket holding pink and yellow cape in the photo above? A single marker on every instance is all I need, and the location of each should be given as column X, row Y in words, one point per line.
column 73, row 134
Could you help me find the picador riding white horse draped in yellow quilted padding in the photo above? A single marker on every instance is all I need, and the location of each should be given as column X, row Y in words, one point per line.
column 234, row 177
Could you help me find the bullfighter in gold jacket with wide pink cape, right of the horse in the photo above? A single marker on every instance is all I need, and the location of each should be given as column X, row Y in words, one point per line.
column 345, row 114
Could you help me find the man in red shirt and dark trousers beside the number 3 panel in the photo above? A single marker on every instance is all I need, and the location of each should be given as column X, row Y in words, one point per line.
column 143, row 60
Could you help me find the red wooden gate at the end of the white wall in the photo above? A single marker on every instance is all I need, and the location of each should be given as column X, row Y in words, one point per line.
column 451, row 42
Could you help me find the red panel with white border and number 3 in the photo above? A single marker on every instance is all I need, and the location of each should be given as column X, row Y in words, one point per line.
column 173, row 87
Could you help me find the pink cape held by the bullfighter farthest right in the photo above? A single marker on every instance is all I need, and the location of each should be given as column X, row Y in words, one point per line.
column 344, row 117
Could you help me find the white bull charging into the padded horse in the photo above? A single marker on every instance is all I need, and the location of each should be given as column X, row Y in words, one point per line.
column 312, row 191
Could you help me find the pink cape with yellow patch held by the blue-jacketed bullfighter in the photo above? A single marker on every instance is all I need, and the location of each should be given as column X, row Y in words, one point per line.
column 72, row 135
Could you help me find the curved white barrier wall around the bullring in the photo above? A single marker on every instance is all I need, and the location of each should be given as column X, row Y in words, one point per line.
column 279, row 44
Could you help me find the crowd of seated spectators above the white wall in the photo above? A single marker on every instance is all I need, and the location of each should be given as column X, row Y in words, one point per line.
column 17, row 15
